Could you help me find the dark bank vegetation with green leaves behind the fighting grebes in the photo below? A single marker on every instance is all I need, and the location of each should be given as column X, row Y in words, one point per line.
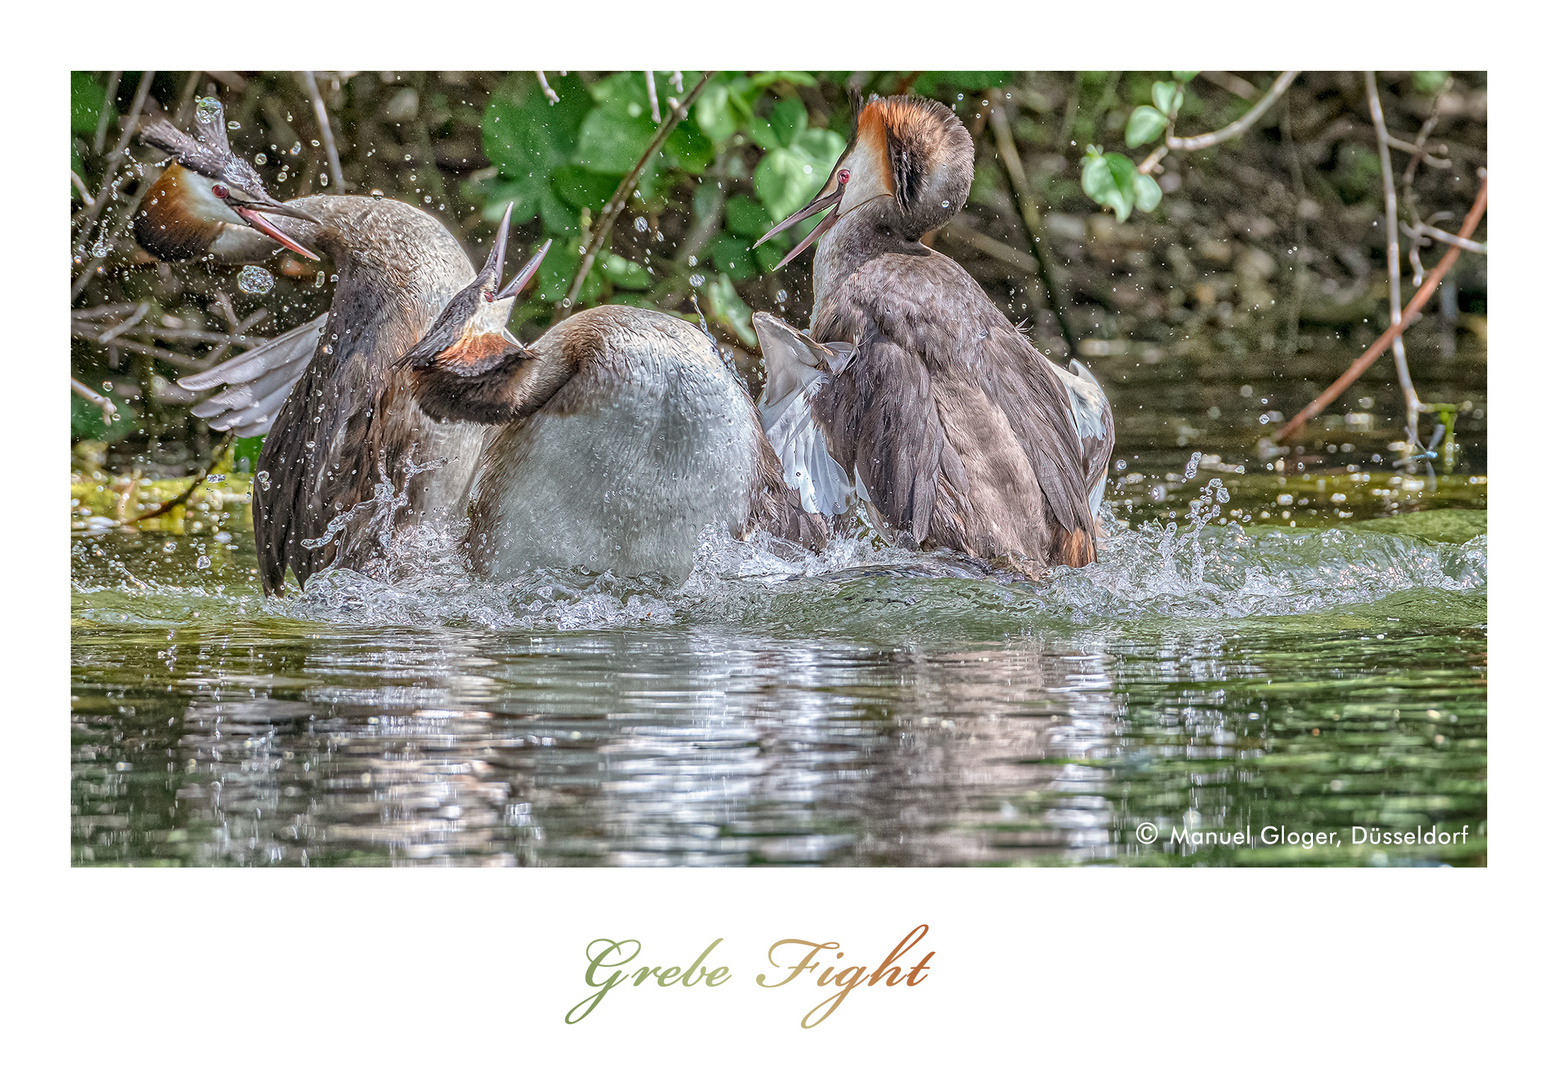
column 1264, row 259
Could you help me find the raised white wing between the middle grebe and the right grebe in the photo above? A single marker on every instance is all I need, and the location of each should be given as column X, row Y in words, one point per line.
column 798, row 370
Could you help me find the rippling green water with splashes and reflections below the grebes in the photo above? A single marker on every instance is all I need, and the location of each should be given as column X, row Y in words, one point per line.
column 867, row 708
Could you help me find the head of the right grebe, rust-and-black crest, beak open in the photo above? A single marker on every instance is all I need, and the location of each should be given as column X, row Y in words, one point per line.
column 909, row 164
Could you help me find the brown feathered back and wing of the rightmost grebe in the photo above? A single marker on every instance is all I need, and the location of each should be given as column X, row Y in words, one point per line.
column 956, row 425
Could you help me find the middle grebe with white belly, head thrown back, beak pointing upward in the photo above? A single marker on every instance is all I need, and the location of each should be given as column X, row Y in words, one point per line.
column 621, row 436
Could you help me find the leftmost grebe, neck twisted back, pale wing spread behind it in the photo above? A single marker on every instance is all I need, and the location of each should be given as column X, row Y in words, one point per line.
column 340, row 434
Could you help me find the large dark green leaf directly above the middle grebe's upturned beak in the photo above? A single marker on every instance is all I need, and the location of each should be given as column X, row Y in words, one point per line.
column 526, row 138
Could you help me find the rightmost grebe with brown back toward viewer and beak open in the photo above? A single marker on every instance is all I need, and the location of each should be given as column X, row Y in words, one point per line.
column 957, row 431
